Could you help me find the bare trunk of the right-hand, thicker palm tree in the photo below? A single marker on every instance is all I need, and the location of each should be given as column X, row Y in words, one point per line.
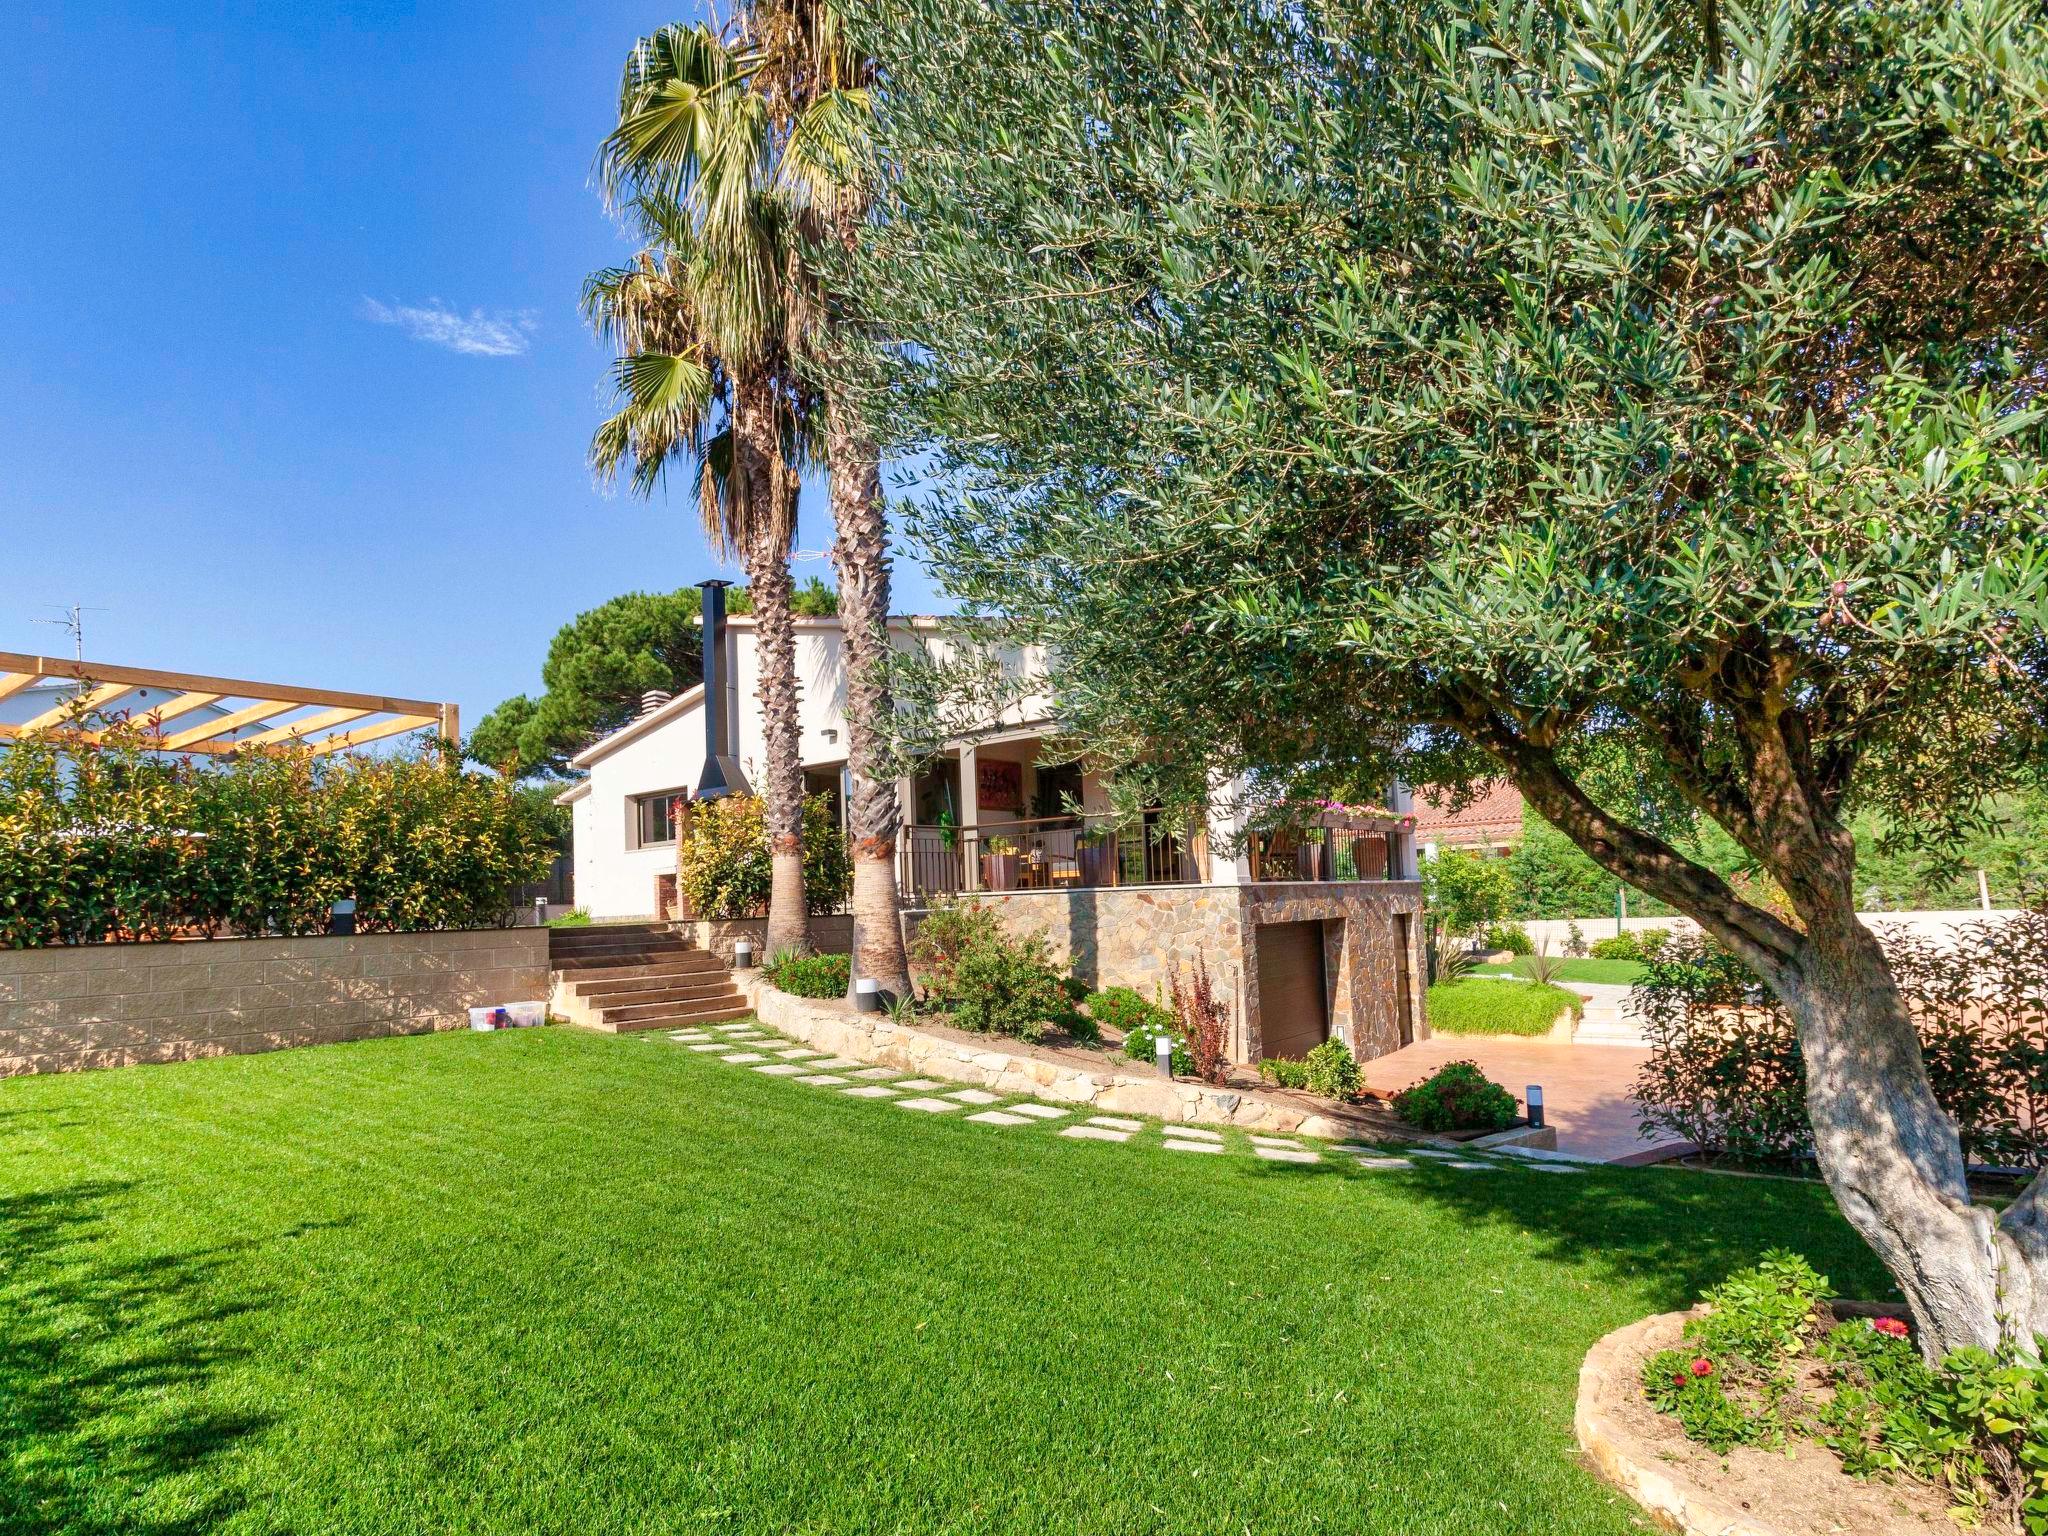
column 861, row 556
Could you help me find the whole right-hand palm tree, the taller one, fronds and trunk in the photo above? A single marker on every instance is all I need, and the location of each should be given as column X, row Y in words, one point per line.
column 806, row 146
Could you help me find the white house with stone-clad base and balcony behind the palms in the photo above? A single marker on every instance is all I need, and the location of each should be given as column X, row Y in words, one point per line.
column 1310, row 935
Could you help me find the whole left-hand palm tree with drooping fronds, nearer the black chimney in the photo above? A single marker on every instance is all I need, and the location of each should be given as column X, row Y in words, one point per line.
column 699, row 329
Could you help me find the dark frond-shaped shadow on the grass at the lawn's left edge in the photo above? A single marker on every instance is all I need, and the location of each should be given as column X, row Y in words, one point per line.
column 108, row 1363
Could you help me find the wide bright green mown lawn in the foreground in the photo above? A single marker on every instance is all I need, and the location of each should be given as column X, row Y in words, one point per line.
column 560, row 1283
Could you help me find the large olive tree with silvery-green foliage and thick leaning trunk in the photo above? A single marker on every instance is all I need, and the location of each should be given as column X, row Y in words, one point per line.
column 1637, row 402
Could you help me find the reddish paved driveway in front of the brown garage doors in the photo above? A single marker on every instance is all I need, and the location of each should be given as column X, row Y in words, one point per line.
column 1584, row 1086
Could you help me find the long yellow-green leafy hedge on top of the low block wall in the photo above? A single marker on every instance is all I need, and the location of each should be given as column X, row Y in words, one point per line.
column 110, row 843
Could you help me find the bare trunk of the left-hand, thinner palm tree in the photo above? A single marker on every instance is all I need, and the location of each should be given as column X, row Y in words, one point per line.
column 771, row 523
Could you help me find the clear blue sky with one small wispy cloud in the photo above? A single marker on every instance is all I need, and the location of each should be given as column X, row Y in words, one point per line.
column 292, row 378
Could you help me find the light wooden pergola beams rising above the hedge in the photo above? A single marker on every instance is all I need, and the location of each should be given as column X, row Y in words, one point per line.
column 273, row 712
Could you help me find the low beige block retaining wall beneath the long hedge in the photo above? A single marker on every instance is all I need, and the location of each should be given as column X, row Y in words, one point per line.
column 126, row 1005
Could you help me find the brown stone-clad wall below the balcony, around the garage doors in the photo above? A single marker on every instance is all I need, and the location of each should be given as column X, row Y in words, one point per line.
column 1136, row 937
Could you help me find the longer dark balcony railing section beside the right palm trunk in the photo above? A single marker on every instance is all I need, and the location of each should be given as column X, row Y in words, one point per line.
column 1062, row 853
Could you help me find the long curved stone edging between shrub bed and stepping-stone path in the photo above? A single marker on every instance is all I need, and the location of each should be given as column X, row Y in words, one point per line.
column 871, row 1037
